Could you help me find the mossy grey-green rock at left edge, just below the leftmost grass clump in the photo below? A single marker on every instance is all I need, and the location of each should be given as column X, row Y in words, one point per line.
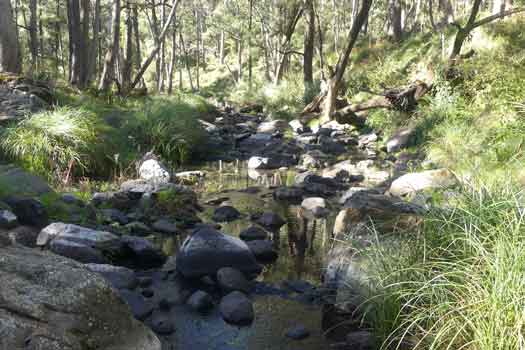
column 15, row 181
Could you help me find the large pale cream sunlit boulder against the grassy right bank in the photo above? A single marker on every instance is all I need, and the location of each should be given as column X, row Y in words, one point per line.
column 426, row 180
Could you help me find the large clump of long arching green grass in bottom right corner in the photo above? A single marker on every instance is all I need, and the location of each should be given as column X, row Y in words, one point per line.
column 458, row 283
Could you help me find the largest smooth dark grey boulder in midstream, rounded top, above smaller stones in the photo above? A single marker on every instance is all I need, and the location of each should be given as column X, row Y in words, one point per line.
column 208, row 250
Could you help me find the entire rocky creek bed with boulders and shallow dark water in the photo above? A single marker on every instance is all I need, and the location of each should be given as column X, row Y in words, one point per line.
column 247, row 252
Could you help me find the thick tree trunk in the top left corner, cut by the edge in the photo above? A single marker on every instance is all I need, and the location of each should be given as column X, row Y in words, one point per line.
column 9, row 46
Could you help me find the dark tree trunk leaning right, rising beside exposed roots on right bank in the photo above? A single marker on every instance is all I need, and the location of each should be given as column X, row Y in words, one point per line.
column 334, row 84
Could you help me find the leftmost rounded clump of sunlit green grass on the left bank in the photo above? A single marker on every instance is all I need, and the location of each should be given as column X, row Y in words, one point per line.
column 53, row 143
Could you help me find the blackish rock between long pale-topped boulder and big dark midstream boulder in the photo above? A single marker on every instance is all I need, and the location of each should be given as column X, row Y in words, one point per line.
column 142, row 253
